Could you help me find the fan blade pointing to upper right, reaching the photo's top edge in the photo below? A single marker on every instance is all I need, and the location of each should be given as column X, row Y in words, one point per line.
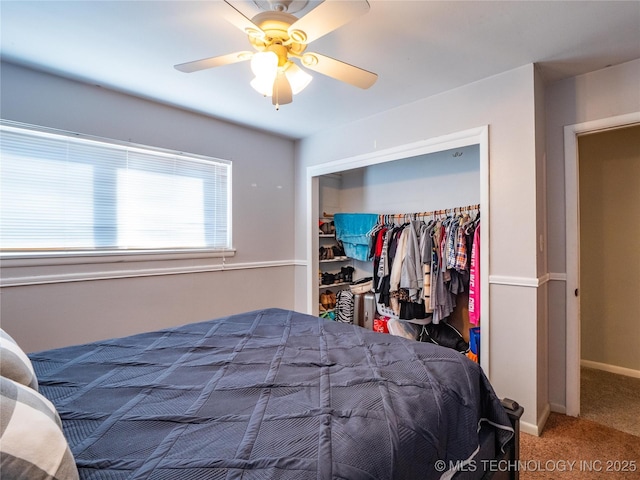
column 325, row 18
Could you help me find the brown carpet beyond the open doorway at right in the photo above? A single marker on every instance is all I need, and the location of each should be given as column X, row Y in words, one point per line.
column 610, row 399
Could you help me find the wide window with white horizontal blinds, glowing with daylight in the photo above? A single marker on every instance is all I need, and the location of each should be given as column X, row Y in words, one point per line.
column 67, row 193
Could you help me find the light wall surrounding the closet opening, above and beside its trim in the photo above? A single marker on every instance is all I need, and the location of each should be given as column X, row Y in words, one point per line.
column 506, row 103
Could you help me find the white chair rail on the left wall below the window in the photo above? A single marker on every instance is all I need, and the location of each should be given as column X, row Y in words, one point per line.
column 21, row 281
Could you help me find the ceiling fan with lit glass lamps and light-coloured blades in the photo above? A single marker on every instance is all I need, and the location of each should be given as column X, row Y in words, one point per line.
column 279, row 37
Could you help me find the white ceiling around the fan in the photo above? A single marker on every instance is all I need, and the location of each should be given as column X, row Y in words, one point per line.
column 418, row 49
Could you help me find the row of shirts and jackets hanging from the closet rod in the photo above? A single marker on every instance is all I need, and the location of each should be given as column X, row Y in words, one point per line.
column 420, row 267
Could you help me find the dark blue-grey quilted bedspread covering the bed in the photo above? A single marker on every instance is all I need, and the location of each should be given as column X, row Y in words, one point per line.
column 271, row 394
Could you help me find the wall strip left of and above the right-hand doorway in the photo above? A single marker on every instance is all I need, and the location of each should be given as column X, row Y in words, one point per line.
column 597, row 95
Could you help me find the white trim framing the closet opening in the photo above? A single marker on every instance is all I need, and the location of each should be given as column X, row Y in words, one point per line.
column 475, row 136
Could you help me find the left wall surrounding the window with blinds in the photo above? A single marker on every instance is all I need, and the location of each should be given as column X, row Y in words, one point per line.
column 261, row 273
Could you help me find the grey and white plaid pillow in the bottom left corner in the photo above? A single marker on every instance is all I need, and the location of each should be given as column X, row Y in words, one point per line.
column 32, row 444
